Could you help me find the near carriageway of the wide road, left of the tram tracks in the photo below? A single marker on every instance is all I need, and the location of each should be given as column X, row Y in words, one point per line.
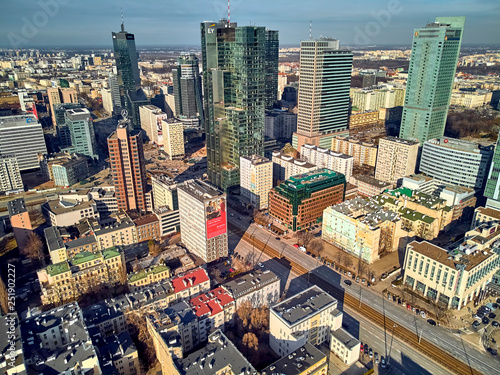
column 404, row 359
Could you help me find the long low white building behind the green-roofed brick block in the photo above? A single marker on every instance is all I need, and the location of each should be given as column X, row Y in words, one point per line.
column 325, row 158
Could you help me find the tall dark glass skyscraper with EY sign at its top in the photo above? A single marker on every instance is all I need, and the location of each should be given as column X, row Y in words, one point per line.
column 234, row 80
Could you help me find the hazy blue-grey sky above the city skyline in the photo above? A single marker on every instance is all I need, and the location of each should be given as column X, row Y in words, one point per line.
column 89, row 23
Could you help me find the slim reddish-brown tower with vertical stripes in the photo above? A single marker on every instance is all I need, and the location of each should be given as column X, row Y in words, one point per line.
column 126, row 157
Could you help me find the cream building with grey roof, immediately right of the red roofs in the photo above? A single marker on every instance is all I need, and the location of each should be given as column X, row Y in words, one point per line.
column 260, row 287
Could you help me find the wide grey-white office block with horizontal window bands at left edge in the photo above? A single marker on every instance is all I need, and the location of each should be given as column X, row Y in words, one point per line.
column 22, row 136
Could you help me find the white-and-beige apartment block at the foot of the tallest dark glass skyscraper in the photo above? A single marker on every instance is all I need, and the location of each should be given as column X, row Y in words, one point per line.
column 256, row 179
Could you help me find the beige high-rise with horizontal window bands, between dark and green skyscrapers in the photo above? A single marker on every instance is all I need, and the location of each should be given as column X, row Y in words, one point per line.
column 325, row 80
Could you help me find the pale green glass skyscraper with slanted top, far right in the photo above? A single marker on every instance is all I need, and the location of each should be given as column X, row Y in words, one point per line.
column 433, row 63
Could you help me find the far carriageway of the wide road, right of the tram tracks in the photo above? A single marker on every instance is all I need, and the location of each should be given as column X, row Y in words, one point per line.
column 443, row 338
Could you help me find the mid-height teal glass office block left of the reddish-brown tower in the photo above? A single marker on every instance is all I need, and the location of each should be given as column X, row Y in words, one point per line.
column 81, row 128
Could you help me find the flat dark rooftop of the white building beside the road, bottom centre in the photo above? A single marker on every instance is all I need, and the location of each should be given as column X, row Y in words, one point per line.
column 303, row 305
